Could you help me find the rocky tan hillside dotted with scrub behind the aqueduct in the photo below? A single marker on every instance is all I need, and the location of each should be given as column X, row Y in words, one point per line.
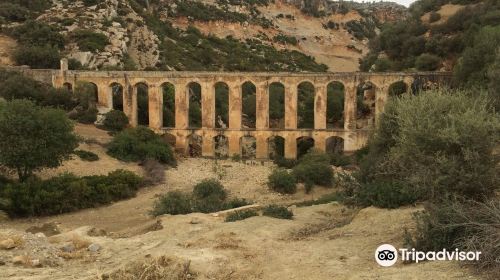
column 244, row 35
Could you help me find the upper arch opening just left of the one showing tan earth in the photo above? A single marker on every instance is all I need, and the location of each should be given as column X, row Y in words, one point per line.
column 335, row 105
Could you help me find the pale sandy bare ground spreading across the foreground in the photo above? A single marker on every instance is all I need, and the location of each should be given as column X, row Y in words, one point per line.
column 326, row 241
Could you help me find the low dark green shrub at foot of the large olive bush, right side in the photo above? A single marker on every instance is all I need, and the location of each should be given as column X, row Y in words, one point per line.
column 390, row 194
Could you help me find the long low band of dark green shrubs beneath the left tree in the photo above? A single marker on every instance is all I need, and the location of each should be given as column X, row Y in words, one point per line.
column 67, row 193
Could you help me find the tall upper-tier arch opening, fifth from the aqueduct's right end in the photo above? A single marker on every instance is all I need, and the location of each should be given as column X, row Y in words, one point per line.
column 277, row 105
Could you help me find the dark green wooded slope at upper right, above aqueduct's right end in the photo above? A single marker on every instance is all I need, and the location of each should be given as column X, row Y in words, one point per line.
column 469, row 39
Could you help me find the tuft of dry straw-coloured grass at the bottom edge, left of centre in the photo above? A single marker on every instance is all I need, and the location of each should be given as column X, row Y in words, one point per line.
column 164, row 268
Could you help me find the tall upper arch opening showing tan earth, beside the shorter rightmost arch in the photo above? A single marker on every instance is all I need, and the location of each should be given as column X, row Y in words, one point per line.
column 365, row 105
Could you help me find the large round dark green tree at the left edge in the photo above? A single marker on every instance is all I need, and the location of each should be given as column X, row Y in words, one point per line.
column 33, row 138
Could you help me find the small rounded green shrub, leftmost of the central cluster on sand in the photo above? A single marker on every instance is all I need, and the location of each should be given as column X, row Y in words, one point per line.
column 173, row 203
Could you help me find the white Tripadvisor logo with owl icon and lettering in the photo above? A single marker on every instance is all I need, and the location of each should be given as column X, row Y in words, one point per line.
column 387, row 255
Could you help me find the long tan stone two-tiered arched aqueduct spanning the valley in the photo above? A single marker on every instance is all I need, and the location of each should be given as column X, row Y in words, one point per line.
column 352, row 133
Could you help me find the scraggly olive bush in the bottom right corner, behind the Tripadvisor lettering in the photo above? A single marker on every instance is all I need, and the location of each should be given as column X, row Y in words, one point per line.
column 463, row 224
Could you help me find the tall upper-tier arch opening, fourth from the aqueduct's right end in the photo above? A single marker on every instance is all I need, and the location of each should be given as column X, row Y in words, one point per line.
column 305, row 105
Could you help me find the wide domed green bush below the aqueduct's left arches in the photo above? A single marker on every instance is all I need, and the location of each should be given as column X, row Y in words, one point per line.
column 140, row 143
